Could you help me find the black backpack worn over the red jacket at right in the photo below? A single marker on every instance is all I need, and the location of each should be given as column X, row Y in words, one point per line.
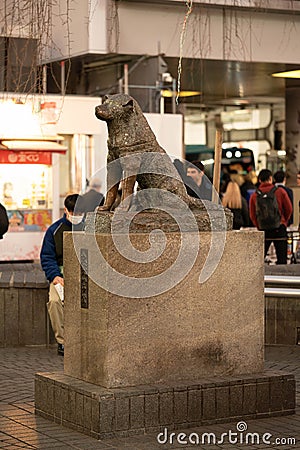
column 267, row 211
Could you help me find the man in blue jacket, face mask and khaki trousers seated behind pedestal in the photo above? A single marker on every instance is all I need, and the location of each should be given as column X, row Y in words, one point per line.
column 51, row 257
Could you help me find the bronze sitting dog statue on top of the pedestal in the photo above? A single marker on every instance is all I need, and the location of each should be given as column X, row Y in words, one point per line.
column 129, row 134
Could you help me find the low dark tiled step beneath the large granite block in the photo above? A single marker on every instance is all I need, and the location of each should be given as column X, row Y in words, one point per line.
column 101, row 412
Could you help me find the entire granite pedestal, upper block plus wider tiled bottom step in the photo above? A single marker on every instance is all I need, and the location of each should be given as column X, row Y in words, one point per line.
column 192, row 354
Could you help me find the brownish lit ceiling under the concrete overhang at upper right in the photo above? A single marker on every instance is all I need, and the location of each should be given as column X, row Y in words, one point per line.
column 228, row 83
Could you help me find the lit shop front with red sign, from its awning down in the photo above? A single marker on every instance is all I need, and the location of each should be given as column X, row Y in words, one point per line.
column 26, row 190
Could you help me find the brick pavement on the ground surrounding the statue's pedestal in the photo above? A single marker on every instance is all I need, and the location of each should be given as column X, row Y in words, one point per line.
column 20, row 428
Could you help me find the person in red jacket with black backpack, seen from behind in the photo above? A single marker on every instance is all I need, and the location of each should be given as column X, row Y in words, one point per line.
column 270, row 210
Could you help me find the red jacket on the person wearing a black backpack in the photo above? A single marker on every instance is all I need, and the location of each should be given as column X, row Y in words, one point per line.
column 284, row 204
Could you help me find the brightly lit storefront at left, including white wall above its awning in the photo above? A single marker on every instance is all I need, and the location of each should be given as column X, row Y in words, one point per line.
column 26, row 175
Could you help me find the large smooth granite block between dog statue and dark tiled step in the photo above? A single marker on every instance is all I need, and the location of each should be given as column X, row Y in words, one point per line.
column 188, row 330
